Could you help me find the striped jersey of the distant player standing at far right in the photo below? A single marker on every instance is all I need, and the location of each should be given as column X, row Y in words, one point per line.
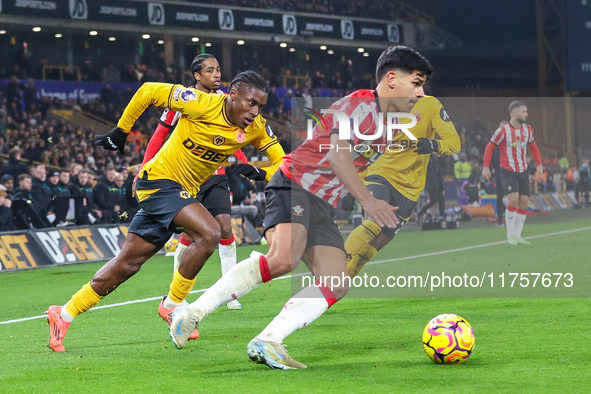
column 512, row 145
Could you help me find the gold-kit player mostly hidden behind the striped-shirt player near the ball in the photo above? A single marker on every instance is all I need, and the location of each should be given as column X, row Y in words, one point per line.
column 399, row 175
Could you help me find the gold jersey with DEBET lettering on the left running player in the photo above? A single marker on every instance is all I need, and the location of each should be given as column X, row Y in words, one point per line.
column 203, row 139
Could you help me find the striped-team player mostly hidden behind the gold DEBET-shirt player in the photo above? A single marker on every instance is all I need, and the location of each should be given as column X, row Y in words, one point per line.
column 214, row 193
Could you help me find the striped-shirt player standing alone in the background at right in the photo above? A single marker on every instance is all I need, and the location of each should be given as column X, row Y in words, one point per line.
column 512, row 139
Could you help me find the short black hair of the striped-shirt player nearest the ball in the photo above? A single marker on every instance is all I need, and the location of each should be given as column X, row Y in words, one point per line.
column 403, row 58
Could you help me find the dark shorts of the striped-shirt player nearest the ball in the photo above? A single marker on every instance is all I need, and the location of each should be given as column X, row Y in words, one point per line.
column 287, row 202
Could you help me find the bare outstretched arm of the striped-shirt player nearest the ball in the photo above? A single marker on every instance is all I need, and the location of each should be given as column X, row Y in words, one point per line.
column 341, row 162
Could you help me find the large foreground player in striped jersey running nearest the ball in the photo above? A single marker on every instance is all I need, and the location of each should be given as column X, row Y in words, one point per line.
column 301, row 203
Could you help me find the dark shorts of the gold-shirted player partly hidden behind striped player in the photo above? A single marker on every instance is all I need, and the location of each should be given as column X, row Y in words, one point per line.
column 381, row 189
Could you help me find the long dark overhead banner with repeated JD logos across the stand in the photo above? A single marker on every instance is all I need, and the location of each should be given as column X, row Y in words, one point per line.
column 207, row 18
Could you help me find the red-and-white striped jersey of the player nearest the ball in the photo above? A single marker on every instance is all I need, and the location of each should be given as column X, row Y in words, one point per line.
column 308, row 164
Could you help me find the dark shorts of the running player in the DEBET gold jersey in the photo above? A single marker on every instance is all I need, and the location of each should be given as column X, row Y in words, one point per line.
column 154, row 221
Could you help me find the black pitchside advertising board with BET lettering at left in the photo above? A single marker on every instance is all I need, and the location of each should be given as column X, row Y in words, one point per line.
column 34, row 248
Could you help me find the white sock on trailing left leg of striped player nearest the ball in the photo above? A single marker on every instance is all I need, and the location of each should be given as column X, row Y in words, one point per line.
column 242, row 278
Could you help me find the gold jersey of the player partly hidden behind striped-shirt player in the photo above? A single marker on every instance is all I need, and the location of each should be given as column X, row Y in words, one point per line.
column 400, row 165
